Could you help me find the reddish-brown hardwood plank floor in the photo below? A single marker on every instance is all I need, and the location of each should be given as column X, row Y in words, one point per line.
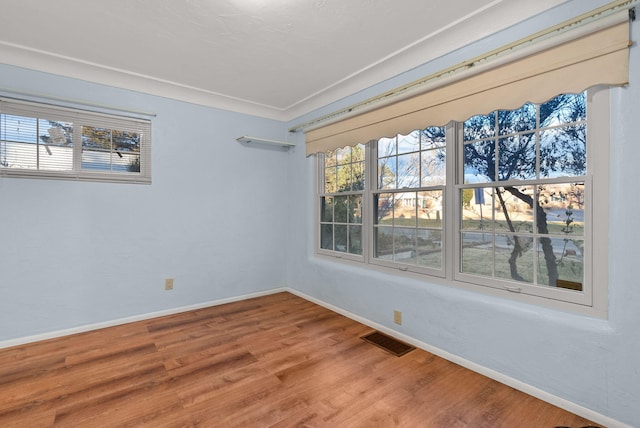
column 274, row 361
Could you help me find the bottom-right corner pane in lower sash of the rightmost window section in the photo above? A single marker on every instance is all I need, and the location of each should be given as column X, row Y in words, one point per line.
column 561, row 262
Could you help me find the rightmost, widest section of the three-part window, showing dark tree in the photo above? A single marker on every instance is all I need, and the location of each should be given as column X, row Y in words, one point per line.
column 523, row 211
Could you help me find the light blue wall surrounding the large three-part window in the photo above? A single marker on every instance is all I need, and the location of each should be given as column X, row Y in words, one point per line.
column 593, row 363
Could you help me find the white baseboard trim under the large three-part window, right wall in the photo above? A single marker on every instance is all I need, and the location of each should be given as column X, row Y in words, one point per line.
column 490, row 373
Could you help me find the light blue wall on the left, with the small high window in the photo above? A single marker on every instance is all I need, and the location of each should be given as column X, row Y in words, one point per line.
column 79, row 253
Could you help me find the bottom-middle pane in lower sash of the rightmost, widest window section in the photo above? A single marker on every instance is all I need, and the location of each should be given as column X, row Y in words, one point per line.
column 514, row 257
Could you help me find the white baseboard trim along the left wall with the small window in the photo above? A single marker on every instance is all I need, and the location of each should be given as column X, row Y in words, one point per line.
column 142, row 317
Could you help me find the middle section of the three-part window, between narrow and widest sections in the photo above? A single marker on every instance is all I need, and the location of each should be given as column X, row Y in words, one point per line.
column 408, row 196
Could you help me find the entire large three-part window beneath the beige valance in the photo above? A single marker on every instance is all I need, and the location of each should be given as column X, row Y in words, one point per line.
column 503, row 200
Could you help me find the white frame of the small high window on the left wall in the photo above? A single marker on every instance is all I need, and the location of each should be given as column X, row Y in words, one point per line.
column 80, row 118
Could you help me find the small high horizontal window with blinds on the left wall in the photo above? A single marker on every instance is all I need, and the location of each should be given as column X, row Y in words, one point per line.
column 50, row 142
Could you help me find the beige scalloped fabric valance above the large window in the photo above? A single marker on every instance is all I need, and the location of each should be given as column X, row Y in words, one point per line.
column 598, row 58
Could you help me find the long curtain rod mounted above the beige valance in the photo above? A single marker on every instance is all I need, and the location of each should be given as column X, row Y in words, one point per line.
column 396, row 94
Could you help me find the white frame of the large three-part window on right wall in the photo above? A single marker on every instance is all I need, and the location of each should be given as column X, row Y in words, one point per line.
column 592, row 300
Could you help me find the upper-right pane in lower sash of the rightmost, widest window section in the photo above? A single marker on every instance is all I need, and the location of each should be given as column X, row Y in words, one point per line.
column 564, row 208
